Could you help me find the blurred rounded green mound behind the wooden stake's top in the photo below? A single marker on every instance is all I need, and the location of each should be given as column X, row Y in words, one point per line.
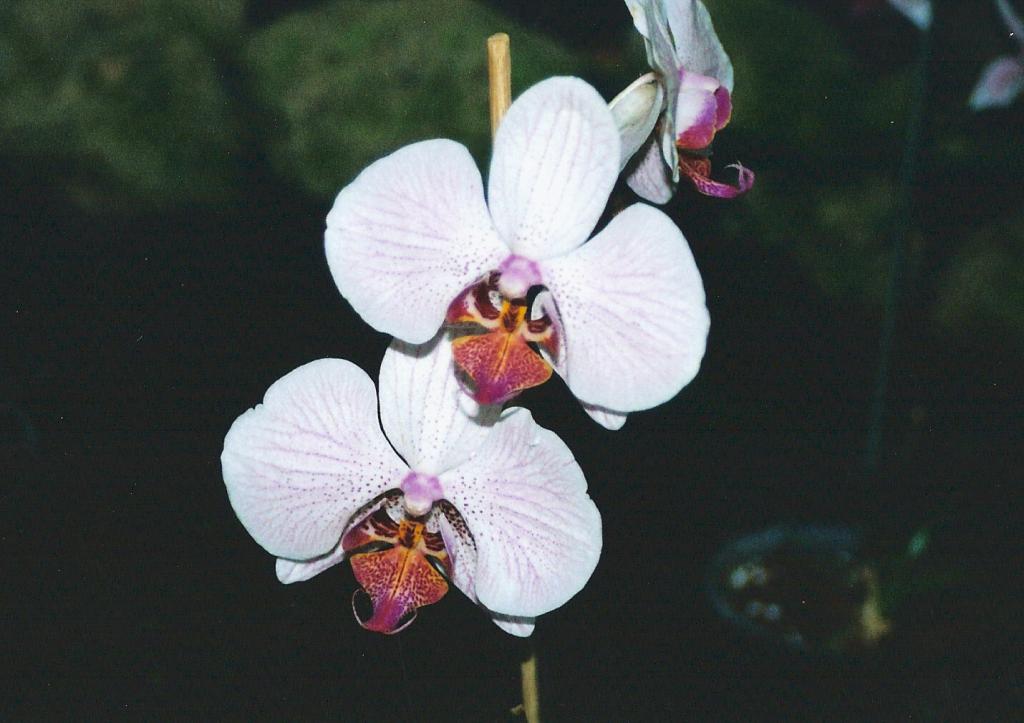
column 350, row 82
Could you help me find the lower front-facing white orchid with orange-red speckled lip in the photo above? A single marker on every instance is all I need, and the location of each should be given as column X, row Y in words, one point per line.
column 495, row 504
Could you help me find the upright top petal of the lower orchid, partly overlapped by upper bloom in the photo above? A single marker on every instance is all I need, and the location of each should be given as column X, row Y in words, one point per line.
column 426, row 416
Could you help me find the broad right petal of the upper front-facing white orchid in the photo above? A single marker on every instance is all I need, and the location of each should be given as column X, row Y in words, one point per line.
column 632, row 308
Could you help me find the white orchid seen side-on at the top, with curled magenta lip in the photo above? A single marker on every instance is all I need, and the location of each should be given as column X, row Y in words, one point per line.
column 686, row 102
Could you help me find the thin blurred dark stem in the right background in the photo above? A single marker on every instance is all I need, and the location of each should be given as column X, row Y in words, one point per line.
column 901, row 228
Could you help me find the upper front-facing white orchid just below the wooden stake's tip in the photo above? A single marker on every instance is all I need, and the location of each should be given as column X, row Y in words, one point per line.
column 412, row 244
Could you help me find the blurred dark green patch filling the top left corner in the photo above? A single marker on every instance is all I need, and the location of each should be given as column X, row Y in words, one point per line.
column 130, row 95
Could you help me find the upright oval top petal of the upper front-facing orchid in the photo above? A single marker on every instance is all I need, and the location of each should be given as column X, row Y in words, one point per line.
column 556, row 161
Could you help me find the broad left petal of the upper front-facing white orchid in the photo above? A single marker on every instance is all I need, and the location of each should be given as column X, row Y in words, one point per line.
column 408, row 235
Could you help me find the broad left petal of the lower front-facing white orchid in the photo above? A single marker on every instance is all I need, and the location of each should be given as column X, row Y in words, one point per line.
column 300, row 465
